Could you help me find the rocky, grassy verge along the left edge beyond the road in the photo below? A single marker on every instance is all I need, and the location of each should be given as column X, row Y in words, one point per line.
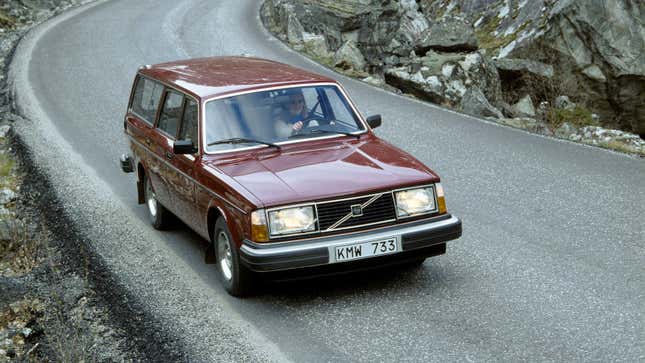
column 49, row 306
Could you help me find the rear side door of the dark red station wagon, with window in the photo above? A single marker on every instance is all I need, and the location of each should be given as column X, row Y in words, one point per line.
column 161, row 146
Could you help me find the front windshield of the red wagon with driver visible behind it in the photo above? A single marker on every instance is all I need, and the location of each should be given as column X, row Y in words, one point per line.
column 269, row 117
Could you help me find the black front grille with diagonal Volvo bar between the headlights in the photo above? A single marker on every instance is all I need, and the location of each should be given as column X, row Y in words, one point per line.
column 380, row 210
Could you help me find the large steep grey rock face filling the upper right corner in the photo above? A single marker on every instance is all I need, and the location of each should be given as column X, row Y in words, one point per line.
column 603, row 43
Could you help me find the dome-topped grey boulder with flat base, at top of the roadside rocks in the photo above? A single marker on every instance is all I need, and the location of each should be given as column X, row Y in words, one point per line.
column 449, row 35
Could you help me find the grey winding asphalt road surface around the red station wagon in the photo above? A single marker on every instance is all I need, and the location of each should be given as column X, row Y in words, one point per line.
column 551, row 265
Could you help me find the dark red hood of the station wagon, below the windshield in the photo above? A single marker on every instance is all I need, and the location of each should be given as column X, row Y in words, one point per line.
column 300, row 173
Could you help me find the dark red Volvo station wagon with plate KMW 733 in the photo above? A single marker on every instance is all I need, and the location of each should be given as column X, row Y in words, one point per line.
column 276, row 168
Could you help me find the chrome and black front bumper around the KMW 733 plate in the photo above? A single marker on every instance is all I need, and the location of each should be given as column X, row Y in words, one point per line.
column 417, row 240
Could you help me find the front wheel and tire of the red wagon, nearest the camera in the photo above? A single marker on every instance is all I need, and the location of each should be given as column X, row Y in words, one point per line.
column 236, row 278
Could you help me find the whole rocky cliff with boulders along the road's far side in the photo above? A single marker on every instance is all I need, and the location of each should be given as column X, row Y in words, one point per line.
column 492, row 58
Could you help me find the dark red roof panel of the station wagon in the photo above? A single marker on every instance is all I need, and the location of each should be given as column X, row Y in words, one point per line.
column 217, row 76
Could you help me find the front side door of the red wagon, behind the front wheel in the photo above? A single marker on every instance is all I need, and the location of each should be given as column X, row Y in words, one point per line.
column 183, row 186
